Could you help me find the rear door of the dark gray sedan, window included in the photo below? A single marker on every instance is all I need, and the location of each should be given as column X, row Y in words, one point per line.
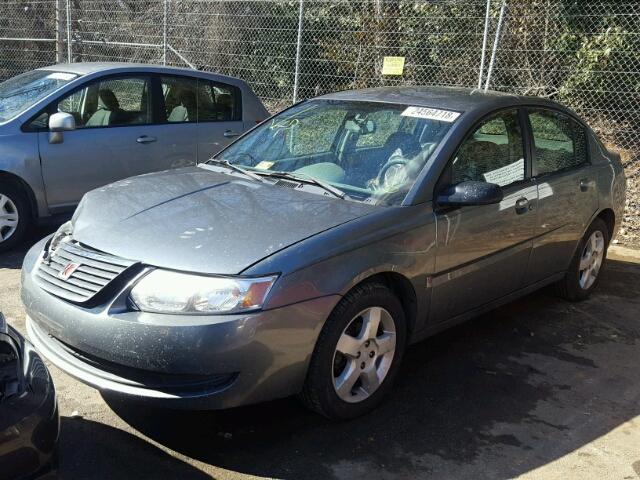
column 566, row 188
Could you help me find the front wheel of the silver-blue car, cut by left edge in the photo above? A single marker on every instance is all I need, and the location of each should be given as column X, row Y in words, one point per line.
column 14, row 215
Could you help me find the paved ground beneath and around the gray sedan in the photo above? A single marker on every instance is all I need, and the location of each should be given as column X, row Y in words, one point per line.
column 540, row 388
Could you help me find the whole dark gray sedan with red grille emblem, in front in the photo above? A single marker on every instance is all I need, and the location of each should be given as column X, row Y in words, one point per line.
column 308, row 254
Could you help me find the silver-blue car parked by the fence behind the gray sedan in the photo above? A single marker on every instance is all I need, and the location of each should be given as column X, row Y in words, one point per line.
column 67, row 129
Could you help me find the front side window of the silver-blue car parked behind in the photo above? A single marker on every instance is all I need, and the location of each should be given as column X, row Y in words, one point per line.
column 109, row 103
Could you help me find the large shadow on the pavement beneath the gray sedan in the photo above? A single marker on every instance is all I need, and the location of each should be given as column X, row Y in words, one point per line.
column 497, row 397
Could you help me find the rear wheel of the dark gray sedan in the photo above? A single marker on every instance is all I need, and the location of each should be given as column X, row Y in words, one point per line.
column 586, row 266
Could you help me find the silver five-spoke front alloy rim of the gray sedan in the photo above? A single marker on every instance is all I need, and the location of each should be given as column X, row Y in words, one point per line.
column 364, row 354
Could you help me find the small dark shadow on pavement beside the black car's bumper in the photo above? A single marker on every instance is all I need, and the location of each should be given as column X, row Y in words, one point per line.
column 109, row 454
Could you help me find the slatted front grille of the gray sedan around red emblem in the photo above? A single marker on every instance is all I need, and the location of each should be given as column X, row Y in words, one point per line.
column 94, row 272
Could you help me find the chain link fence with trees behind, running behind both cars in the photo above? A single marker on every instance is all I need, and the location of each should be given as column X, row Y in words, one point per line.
column 583, row 54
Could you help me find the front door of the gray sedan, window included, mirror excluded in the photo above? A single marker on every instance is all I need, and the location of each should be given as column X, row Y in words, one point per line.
column 483, row 251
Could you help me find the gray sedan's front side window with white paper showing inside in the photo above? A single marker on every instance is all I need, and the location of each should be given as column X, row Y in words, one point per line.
column 493, row 153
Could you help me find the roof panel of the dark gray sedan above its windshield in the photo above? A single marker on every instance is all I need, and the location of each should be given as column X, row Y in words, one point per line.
column 451, row 98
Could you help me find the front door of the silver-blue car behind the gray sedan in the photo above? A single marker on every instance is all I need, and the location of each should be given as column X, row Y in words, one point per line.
column 115, row 138
